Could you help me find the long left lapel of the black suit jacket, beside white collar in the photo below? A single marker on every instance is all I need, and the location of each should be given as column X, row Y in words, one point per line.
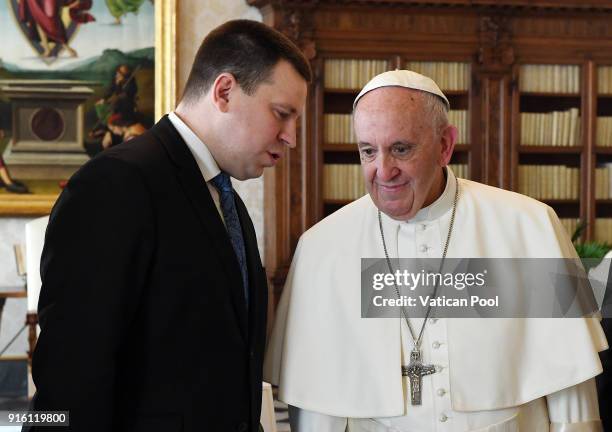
column 195, row 188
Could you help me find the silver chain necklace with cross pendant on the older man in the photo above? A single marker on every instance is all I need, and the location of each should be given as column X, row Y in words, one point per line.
column 416, row 369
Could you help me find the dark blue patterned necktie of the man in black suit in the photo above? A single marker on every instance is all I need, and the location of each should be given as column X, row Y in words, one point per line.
column 228, row 206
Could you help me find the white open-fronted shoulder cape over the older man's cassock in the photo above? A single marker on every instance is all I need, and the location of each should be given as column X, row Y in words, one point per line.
column 325, row 358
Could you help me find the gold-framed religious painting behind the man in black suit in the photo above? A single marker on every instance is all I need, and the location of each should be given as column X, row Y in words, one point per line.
column 76, row 77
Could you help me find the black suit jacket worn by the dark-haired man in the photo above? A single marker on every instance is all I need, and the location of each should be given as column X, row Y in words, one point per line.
column 142, row 309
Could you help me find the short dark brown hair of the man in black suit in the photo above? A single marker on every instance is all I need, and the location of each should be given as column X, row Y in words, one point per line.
column 248, row 50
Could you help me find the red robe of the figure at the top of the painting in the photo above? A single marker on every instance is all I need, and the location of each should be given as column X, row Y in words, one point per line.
column 47, row 14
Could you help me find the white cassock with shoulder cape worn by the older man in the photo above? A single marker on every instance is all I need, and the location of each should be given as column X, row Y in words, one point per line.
column 508, row 375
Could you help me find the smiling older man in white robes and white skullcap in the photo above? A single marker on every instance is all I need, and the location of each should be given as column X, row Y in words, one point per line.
column 338, row 371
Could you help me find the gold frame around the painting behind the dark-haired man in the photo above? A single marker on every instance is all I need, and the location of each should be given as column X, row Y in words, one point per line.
column 165, row 98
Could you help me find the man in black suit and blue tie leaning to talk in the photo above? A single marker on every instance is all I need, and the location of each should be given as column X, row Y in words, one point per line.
column 153, row 304
